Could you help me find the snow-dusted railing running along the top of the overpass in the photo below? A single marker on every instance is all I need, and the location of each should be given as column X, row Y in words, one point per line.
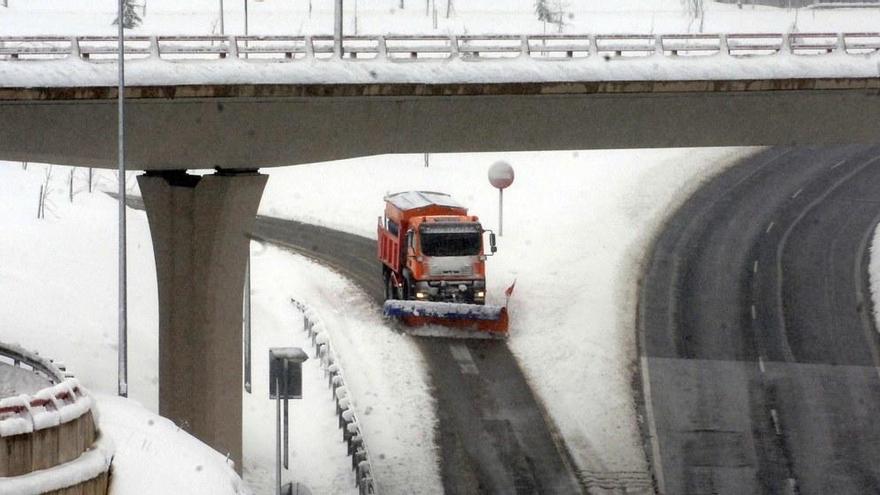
column 421, row 47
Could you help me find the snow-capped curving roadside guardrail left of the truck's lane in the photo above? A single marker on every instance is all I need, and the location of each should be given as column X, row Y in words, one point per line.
column 348, row 422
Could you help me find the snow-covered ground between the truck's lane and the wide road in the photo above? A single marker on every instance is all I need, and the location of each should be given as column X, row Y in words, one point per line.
column 577, row 225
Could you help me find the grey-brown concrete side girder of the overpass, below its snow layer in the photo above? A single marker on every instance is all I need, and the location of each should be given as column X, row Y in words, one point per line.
column 241, row 126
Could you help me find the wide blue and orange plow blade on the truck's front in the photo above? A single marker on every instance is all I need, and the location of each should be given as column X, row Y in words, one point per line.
column 465, row 316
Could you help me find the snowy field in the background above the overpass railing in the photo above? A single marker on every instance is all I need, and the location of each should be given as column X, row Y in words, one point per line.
column 386, row 16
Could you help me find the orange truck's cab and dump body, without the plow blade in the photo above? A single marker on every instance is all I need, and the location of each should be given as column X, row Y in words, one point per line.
column 431, row 249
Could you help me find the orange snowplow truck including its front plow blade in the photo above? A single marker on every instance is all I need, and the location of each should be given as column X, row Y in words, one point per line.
column 434, row 264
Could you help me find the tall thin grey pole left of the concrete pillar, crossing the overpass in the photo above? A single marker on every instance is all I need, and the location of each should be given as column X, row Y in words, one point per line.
column 122, row 349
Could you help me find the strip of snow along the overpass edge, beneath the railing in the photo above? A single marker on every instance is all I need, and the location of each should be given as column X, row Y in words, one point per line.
column 148, row 72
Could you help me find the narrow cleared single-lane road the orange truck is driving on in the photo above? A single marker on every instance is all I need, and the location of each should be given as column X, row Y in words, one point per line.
column 493, row 436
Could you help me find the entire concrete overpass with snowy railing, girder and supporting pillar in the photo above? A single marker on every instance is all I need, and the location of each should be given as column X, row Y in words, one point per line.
column 237, row 104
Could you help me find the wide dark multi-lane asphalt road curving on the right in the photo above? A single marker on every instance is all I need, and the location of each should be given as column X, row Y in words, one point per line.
column 759, row 355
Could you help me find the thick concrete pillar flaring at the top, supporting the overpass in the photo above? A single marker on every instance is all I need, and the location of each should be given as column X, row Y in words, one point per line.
column 198, row 226
